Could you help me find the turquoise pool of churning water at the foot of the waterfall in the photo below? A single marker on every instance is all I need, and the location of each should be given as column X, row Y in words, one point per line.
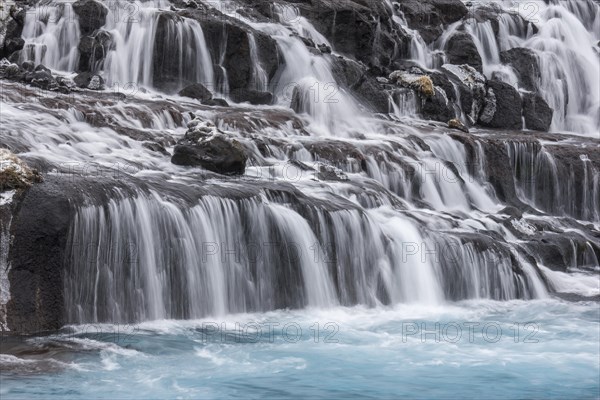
column 336, row 353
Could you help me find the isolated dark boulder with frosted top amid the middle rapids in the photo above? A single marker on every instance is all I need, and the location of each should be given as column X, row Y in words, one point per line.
column 217, row 153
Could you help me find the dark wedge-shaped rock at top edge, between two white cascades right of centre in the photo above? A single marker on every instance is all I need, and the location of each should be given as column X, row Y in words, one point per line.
column 428, row 16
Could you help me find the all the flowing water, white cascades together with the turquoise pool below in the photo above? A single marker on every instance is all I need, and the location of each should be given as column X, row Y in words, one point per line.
column 346, row 275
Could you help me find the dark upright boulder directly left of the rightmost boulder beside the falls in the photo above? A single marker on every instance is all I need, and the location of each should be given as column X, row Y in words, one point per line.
column 508, row 111
